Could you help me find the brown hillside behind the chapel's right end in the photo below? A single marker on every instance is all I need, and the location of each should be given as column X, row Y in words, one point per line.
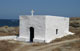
column 75, row 24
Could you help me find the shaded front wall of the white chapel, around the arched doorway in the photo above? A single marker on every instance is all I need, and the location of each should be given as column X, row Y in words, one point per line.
column 37, row 22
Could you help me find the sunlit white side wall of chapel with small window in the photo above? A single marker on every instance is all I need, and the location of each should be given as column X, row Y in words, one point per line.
column 53, row 23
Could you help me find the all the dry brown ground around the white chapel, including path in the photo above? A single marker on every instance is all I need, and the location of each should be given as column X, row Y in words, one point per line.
column 66, row 43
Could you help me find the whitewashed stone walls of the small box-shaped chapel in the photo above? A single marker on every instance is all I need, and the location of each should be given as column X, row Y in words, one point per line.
column 44, row 27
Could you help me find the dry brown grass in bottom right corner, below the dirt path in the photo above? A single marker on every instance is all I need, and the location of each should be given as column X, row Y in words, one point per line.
column 73, row 46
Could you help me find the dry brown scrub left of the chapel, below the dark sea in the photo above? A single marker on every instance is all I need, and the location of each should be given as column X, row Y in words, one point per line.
column 6, row 31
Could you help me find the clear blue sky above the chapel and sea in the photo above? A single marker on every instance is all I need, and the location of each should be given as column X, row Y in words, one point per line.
column 12, row 9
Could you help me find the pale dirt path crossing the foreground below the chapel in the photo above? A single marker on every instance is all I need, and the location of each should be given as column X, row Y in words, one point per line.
column 47, row 47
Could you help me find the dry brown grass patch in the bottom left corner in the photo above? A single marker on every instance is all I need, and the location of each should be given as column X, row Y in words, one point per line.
column 6, row 46
